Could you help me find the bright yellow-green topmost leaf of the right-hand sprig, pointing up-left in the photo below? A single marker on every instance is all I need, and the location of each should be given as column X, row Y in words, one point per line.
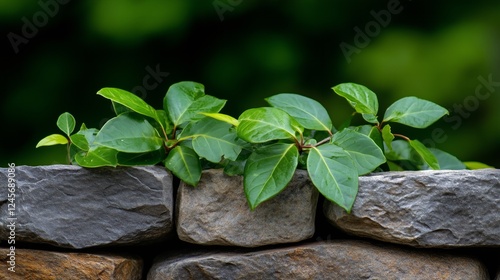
column 362, row 99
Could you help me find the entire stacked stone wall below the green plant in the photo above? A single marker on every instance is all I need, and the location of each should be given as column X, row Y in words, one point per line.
column 68, row 222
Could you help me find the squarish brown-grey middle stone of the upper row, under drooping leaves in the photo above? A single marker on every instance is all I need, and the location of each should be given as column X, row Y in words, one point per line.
column 216, row 212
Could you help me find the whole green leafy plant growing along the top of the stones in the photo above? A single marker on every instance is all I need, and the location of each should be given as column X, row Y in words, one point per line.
column 266, row 145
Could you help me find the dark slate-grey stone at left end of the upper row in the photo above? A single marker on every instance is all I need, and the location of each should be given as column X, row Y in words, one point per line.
column 73, row 207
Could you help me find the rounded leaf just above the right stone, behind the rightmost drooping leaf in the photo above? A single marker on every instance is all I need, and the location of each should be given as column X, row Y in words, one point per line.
column 365, row 153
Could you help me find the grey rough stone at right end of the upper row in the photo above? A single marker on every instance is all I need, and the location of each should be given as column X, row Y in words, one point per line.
column 448, row 208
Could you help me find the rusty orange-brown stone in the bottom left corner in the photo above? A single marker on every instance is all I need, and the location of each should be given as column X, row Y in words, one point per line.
column 37, row 264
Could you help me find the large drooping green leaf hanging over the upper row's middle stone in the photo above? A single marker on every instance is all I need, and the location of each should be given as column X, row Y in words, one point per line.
column 268, row 171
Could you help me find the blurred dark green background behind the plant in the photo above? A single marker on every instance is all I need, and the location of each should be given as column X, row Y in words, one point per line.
column 58, row 53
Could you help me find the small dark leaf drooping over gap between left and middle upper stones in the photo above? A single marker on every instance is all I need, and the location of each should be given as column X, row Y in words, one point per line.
column 185, row 164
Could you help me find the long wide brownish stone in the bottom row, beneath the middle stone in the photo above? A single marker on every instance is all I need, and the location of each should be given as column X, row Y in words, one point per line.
column 330, row 260
